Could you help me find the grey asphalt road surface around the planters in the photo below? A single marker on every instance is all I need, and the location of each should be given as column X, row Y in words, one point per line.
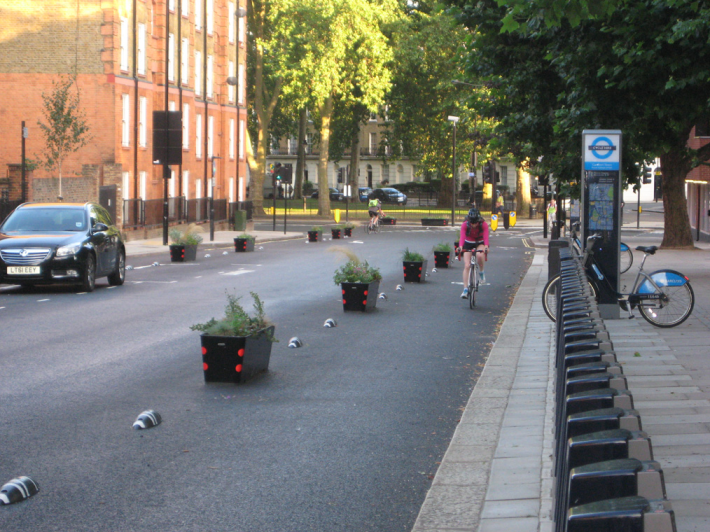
column 343, row 434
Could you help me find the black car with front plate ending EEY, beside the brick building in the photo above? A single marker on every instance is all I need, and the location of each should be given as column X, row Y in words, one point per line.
column 47, row 243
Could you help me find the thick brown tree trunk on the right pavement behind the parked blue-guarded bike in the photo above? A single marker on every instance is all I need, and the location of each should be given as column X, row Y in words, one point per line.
column 676, row 223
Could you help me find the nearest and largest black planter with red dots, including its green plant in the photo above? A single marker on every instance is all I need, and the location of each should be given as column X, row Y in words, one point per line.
column 238, row 346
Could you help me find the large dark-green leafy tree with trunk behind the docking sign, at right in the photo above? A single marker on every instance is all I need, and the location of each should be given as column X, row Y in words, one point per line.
column 642, row 70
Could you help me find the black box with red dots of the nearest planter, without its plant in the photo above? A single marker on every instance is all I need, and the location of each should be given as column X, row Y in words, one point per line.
column 235, row 359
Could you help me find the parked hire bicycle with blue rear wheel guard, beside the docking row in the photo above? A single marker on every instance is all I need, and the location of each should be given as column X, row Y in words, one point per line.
column 664, row 298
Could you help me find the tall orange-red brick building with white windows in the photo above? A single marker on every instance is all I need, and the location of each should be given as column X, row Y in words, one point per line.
column 117, row 49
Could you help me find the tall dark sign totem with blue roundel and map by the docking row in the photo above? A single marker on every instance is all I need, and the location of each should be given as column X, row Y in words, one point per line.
column 601, row 208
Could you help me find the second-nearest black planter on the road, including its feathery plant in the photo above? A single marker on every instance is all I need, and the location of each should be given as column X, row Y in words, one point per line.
column 359, row 282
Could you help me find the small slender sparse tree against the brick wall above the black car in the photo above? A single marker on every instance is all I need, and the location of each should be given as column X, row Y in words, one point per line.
column 66, row 130
